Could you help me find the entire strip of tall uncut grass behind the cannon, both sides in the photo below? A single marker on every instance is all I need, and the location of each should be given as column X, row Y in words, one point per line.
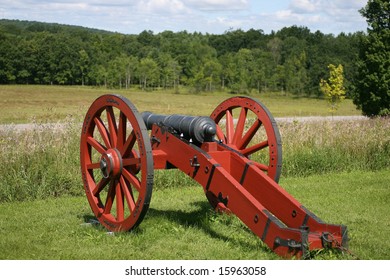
column 43, row 161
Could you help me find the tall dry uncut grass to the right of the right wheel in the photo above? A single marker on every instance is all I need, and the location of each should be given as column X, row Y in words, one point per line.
column 335, row 146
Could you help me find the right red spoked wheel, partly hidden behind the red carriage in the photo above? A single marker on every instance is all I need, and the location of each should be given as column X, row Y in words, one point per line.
column 245, row 125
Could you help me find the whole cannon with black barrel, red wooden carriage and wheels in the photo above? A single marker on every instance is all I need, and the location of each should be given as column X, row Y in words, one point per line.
column 235, row 154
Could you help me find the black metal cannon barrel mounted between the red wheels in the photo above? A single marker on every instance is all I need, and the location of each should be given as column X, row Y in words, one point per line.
column 199, row 129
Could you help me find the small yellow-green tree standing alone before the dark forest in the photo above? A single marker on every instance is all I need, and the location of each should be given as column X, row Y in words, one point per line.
column 333, row 88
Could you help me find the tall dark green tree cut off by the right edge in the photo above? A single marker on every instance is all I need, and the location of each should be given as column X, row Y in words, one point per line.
column 372, row 86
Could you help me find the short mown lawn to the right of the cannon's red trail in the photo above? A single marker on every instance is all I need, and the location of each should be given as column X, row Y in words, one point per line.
column 359, row 200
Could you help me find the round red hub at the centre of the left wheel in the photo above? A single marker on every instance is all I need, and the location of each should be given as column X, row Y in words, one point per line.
column 111, row 164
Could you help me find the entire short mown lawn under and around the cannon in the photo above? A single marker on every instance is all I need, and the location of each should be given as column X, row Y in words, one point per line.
column 181, row 225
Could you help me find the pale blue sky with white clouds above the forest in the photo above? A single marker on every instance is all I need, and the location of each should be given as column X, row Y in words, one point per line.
column 206, row 16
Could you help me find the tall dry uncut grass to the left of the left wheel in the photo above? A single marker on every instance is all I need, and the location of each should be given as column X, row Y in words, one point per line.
column 40, row 161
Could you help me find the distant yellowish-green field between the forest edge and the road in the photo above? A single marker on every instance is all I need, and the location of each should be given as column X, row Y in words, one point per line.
column 25, row 104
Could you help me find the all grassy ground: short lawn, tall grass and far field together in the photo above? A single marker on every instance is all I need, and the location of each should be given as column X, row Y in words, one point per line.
column 338, row 170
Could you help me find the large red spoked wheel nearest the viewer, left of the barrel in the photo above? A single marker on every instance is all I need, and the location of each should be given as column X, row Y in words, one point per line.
column 116, row 163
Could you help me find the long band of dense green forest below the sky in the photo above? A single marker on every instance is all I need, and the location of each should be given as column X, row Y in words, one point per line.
column 293, row 59
